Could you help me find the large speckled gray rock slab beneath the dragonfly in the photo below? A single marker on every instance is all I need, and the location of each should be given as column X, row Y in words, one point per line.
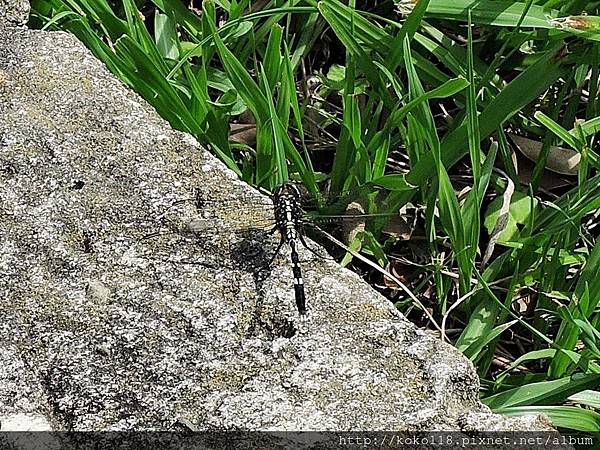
column 107, row 328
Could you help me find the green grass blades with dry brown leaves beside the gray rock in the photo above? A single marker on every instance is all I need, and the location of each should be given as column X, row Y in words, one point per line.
column 476, row 121
